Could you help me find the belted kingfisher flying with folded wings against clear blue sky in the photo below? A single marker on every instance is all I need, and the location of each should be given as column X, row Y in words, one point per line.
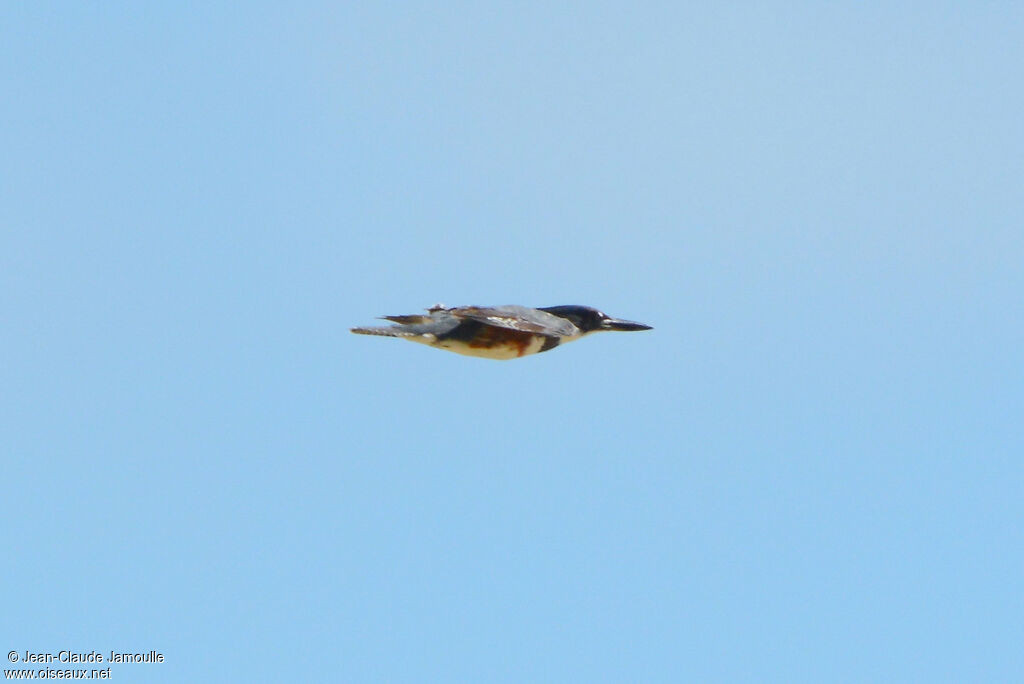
column 499, row 332
